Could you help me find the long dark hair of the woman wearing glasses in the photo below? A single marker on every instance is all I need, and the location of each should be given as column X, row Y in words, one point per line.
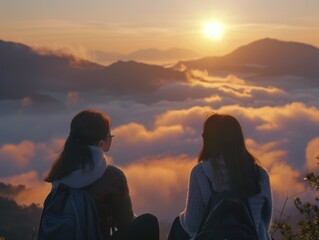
column 87, row 128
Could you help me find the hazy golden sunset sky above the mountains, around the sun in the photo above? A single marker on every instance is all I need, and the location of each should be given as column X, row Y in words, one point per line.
column 125, row 26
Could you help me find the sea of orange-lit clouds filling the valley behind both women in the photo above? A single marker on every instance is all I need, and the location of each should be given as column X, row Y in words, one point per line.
column 156, row 144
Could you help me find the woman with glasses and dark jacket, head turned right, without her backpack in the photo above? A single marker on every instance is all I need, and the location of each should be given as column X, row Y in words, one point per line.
column 82, row 164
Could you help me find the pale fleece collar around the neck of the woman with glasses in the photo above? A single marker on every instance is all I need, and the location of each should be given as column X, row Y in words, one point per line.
column 80, row 178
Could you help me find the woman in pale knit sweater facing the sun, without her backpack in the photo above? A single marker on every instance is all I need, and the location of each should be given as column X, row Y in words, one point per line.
column 224, row 163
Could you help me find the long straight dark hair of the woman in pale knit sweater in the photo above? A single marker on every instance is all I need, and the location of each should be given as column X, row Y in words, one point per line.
column 223, row 137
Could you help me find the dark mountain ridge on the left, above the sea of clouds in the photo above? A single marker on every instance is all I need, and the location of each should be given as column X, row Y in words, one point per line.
column 24, row 72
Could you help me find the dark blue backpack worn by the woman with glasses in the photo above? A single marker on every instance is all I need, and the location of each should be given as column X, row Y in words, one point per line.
column 69, row 214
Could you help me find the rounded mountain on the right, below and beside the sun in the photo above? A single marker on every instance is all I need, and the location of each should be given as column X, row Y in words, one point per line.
column 266, row 57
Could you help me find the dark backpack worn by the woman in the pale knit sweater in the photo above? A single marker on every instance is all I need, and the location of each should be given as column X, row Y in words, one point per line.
column 226, row 217
